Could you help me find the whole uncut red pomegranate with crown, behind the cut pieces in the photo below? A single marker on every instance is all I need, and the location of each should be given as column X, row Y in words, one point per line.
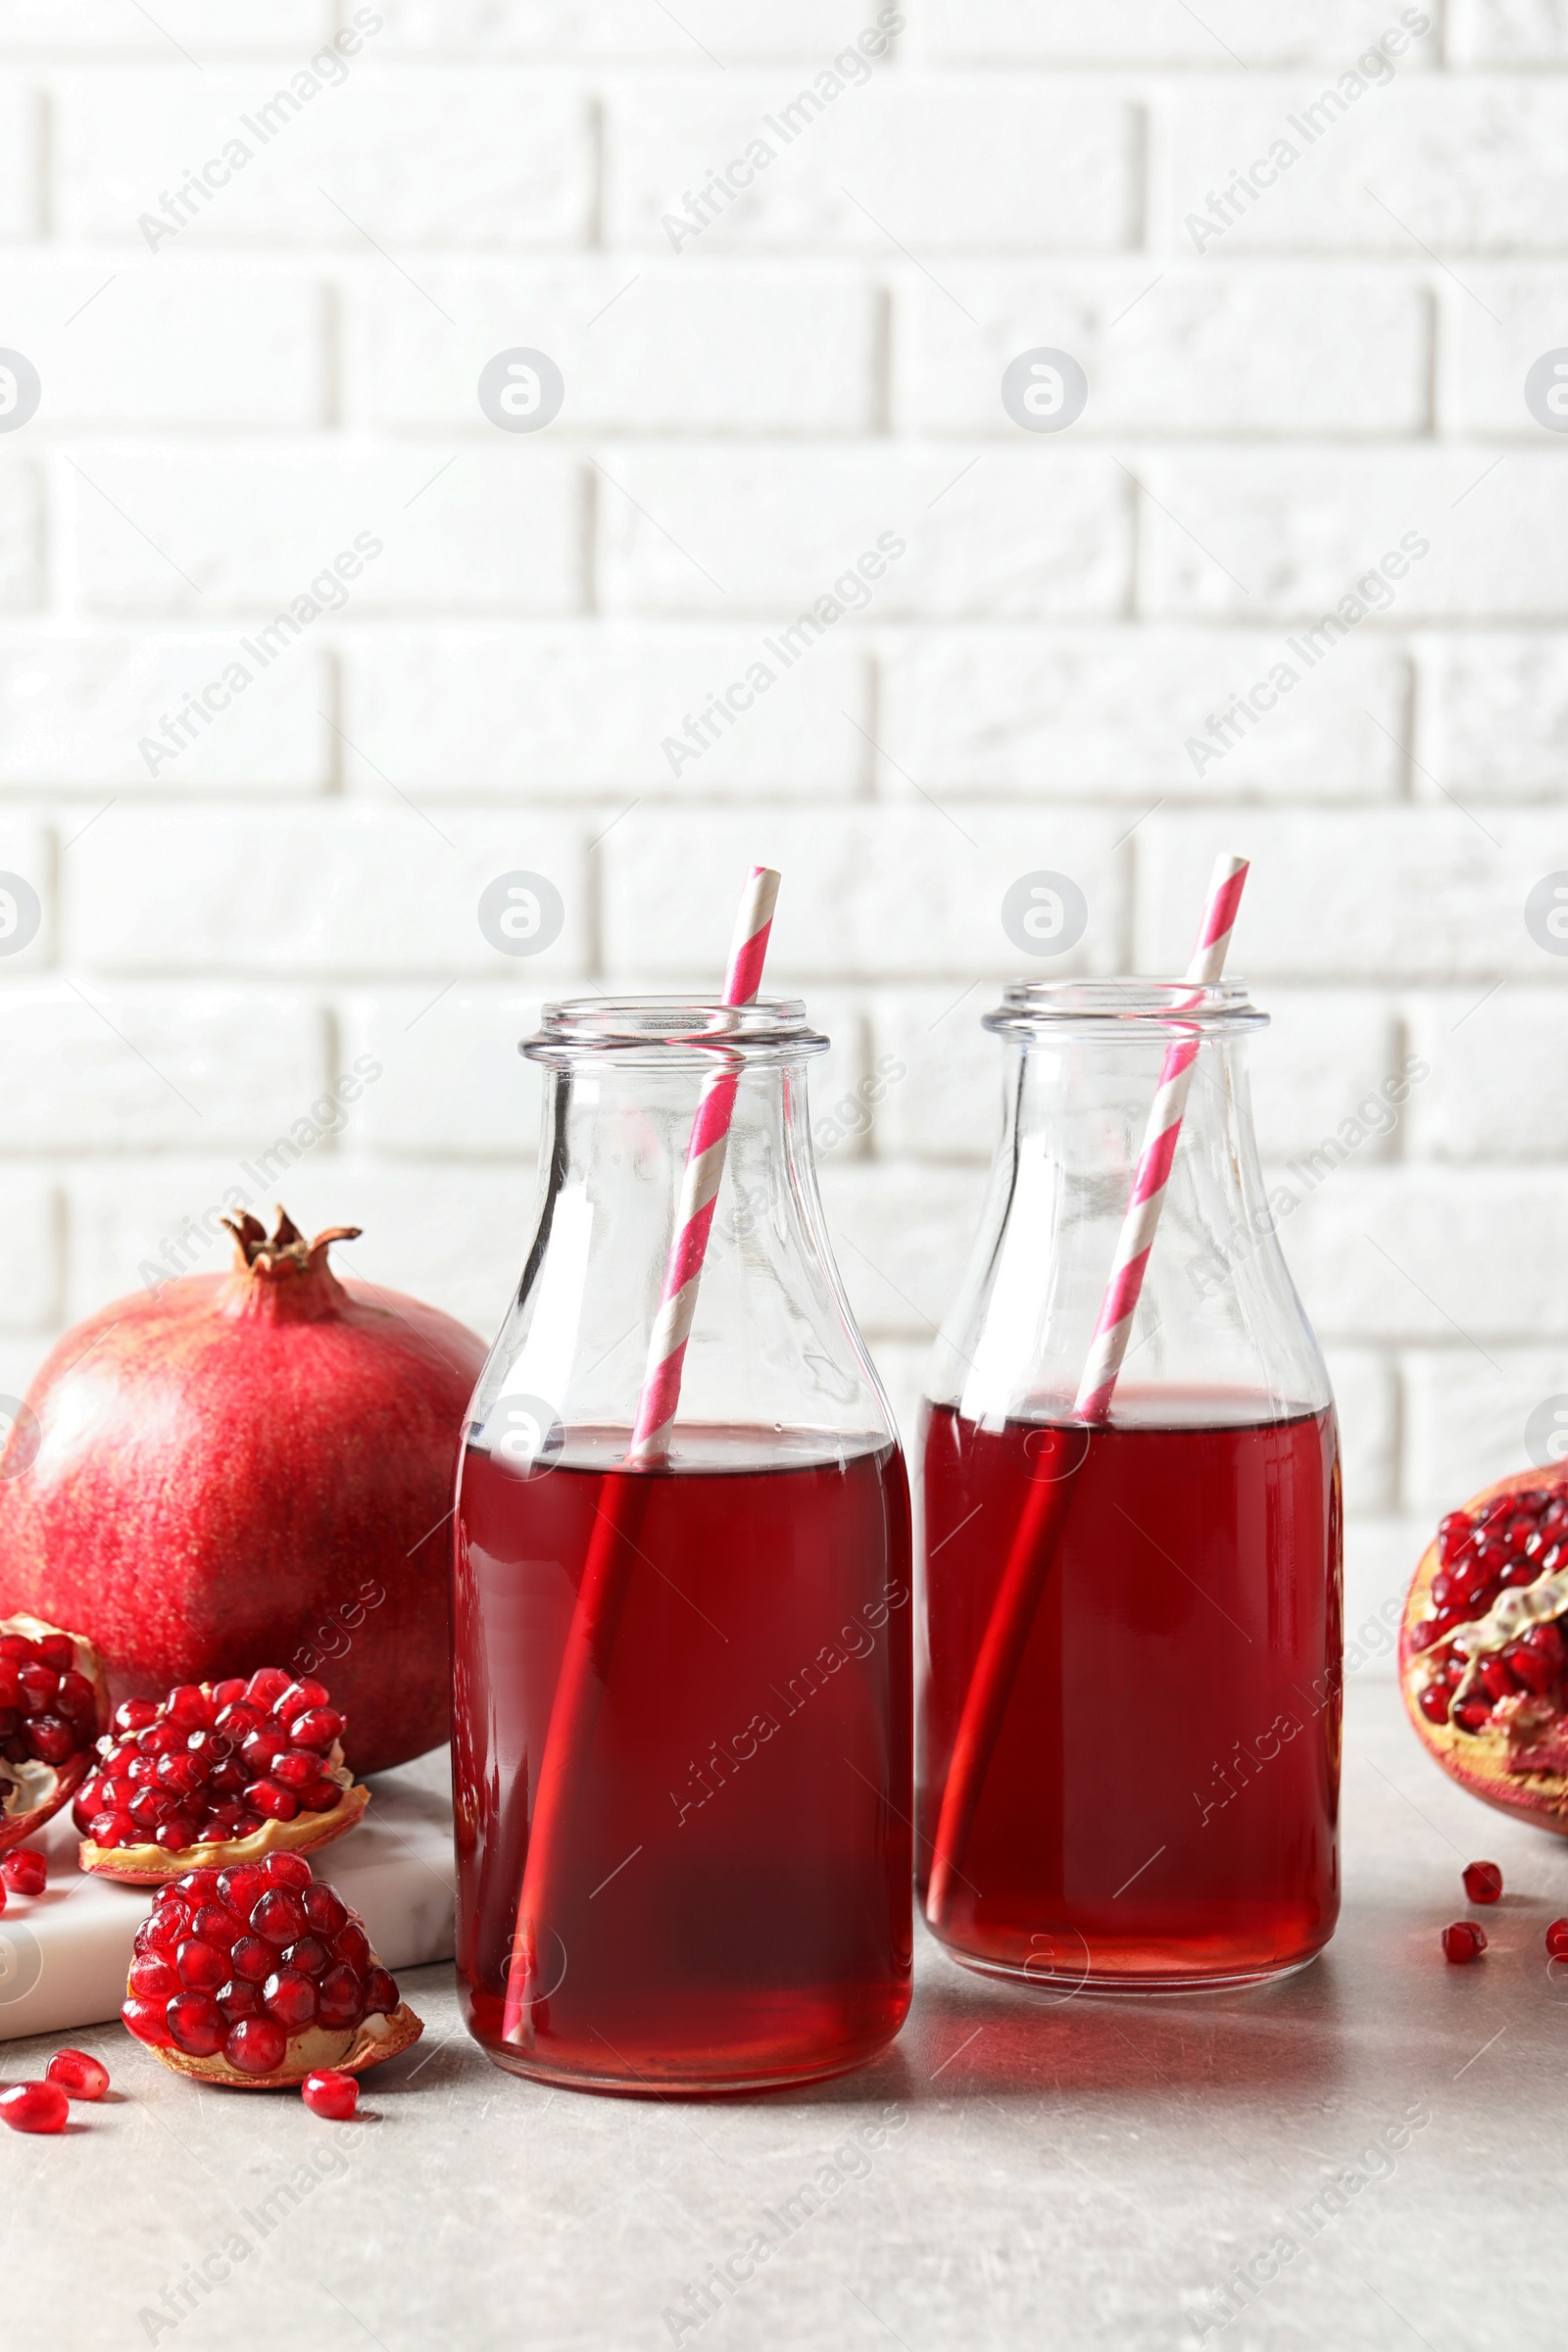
column 248, row 1469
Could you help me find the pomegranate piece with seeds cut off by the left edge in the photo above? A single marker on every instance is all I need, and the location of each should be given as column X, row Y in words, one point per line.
column 53, row 1706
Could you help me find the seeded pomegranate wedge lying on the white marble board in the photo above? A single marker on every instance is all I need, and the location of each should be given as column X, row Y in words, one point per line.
column 217, row 1775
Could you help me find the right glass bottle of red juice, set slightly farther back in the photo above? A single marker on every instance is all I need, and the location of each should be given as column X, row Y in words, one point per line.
column 1153, row 1800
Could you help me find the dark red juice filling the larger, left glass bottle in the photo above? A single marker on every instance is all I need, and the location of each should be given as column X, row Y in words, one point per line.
column 737, row 1899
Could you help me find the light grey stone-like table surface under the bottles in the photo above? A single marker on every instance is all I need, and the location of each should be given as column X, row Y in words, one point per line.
column 1376, row 2146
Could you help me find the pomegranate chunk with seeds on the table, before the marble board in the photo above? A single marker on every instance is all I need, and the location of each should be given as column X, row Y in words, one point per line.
column 262, row 1977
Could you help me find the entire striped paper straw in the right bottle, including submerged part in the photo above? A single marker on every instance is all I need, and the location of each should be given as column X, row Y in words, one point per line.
column 1036, row 1539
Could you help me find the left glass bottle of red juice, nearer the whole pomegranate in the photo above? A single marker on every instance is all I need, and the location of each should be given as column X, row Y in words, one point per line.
column 688, row 1864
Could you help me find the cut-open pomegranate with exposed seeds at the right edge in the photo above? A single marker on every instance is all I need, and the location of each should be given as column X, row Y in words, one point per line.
column 1482, row 1650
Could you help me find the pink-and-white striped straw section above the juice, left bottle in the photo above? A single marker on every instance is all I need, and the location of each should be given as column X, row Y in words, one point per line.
column 702, row 1184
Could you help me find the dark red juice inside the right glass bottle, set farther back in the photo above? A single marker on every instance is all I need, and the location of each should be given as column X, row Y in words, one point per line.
column 1162, row 1800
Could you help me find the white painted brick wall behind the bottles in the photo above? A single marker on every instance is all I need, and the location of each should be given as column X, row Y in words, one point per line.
column 1285, row 382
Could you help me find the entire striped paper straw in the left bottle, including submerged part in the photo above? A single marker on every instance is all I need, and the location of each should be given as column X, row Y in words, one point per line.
column 615, row 1535
